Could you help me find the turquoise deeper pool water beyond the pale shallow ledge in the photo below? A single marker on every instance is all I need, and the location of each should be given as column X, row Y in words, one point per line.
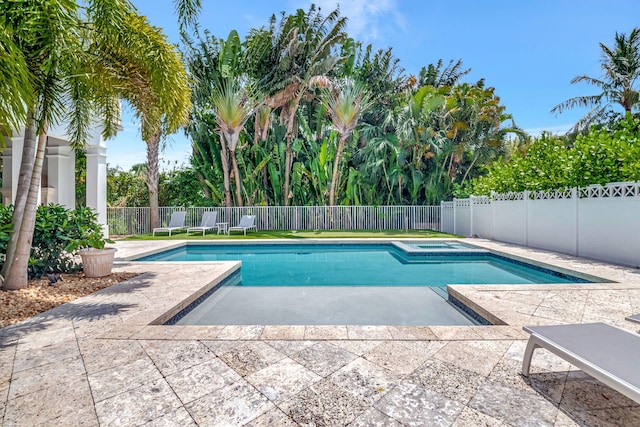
column 362, row 265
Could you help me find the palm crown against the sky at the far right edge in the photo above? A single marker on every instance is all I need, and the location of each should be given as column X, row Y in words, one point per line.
column 620, row 64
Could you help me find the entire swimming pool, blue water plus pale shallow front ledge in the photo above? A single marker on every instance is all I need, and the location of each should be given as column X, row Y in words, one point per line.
column 394, row 283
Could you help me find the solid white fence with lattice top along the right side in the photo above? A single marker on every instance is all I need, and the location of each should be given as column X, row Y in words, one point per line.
column 597, row 222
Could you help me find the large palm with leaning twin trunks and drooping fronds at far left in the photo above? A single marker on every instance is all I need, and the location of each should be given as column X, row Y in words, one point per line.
column 73, row 61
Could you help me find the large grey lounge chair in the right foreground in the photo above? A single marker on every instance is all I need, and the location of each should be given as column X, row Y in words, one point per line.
column 605, row 352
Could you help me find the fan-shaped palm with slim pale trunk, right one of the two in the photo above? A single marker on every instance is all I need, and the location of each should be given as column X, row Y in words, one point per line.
column 345, row 106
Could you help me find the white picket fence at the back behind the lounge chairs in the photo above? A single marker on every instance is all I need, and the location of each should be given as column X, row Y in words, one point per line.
column 136, row 220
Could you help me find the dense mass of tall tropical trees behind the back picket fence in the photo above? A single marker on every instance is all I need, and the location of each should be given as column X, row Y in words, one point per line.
column 312, row 139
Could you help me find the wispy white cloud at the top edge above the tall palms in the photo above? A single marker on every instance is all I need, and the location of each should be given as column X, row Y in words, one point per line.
column 368, row 19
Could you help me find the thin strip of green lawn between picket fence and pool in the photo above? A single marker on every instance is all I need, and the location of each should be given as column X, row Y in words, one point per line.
column 271, row 234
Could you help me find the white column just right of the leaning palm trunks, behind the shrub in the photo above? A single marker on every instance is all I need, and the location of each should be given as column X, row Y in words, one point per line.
column 61, row 172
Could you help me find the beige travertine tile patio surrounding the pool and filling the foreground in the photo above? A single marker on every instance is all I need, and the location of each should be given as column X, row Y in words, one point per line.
column 100, row 361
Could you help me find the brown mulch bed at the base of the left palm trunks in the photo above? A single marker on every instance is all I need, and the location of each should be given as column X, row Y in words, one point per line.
column 40, row 296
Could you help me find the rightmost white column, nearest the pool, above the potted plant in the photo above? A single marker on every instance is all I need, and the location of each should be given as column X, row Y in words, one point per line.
column 97, row 182
